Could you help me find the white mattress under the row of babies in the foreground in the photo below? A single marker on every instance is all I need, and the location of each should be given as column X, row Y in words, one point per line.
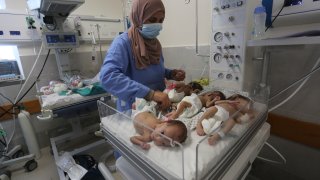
column 170, row 159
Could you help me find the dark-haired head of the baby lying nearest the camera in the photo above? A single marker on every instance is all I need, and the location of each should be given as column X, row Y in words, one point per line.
column 174, row 129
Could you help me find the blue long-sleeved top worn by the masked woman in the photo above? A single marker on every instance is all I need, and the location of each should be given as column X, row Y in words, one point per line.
column 120, row 77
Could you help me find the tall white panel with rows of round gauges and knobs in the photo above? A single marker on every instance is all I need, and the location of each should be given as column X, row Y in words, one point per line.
column 230, row 30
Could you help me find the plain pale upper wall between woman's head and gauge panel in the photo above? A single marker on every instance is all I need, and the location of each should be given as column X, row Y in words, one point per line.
column 179, row 24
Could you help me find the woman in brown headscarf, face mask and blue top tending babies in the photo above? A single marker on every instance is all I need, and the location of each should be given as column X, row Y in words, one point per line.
column 134, row 64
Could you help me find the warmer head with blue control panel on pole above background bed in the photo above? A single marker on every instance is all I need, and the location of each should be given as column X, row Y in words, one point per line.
column 56, row 36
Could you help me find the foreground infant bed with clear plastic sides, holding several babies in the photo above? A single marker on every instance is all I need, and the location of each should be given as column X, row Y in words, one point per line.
column 193, row 159
